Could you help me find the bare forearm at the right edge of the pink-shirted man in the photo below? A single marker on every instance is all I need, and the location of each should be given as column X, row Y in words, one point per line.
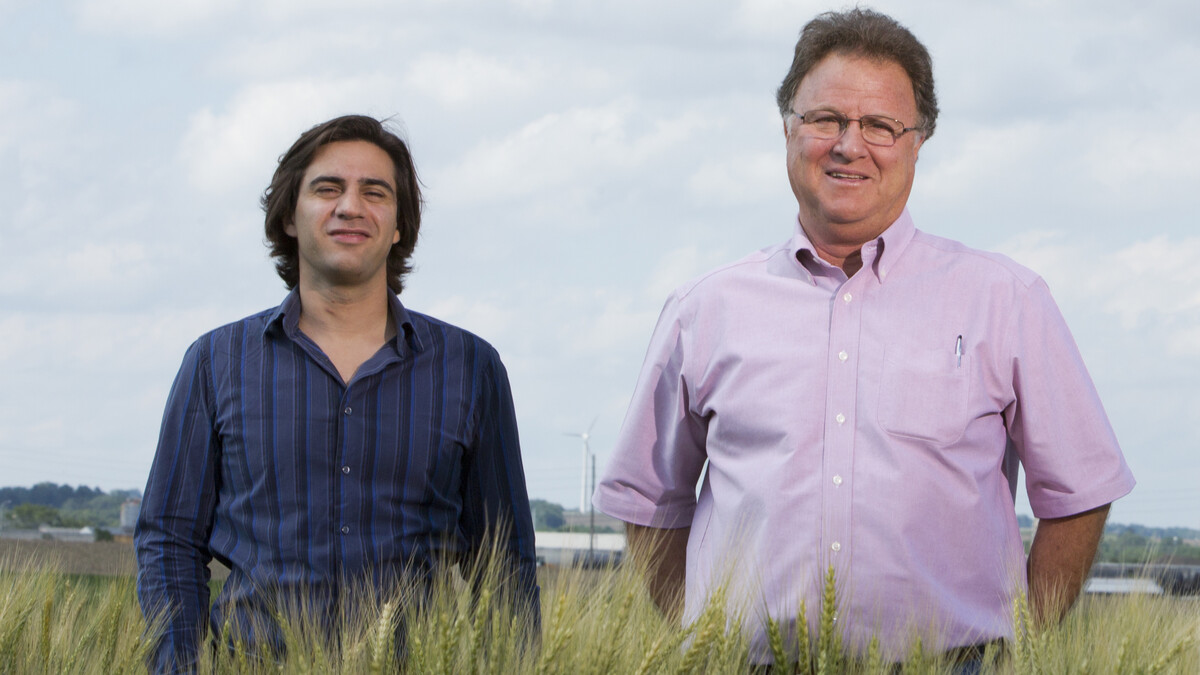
column 1060, row 559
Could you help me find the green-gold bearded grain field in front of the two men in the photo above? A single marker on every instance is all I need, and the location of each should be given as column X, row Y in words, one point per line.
column 593, row 623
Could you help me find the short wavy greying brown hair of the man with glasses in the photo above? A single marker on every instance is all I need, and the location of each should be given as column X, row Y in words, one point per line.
column 869, row 34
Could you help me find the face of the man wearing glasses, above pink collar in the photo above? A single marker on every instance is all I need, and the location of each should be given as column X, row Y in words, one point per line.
column 849, row 192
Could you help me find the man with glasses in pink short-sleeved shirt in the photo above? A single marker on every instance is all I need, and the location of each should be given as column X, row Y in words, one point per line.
column 860, row 398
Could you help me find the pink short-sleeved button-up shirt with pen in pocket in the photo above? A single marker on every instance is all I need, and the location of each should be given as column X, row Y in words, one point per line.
column 873, row 425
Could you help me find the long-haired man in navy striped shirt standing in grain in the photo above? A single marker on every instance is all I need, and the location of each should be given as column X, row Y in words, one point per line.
column 339, row 439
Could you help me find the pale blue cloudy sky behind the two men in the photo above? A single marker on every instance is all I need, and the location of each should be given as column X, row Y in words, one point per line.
column 580, row 159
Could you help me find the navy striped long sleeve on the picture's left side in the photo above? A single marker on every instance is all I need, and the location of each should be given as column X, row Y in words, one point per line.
column 177, row 517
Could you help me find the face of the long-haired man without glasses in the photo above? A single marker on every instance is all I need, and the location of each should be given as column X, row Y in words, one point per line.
column 345, row 220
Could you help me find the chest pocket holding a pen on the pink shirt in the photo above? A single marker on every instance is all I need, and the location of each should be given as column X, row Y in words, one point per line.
column 925, row 393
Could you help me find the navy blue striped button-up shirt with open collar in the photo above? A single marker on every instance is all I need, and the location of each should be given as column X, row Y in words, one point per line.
column 295, row 480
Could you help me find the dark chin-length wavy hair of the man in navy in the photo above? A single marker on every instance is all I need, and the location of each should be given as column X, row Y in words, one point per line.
column 280, row 200
